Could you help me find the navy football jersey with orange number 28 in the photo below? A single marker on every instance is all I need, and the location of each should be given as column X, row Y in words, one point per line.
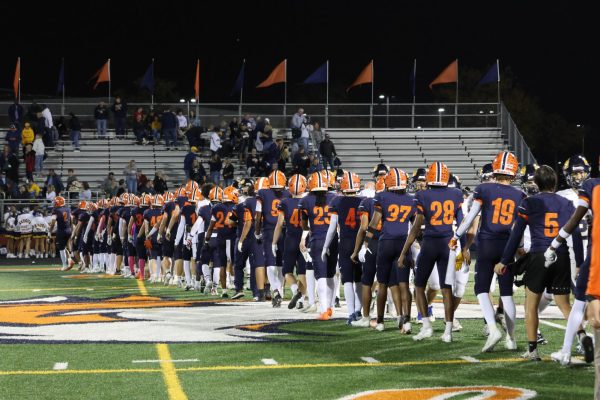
column 440, row 206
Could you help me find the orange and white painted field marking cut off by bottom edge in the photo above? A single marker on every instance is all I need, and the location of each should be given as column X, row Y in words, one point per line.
column 444, row 393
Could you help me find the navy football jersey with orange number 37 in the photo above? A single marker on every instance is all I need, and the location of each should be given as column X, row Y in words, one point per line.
column 396, row 212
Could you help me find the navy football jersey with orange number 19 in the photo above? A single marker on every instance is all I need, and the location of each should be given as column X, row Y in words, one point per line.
column 499, row 204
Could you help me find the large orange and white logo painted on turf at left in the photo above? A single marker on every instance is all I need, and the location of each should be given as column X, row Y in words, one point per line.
column 134, row 319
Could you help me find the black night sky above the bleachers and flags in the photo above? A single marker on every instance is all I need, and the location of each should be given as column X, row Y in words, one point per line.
column 548, row 46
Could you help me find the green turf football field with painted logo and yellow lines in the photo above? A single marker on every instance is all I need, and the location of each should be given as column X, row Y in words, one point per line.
column 108, row 338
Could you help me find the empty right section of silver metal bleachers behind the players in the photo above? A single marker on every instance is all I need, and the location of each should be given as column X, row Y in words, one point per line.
column 463, row 150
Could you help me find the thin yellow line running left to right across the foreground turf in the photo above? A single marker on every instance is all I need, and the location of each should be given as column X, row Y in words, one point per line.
column 167, row 356
